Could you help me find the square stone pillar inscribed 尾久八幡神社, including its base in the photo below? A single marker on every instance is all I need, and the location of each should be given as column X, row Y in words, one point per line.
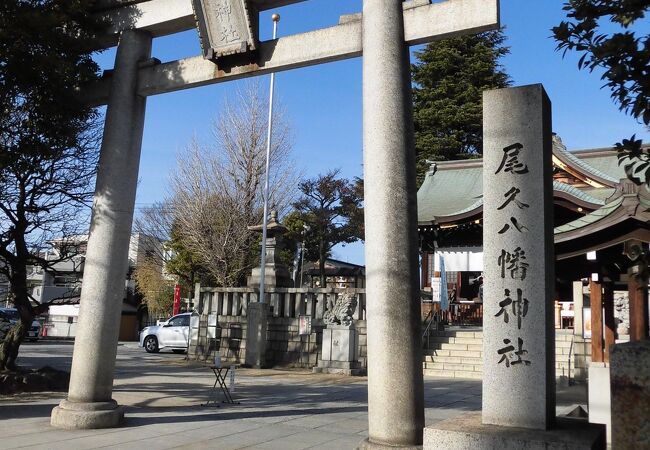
column 518, row 408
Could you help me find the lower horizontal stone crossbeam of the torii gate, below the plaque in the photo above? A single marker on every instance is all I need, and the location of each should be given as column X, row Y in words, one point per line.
column 422, row 24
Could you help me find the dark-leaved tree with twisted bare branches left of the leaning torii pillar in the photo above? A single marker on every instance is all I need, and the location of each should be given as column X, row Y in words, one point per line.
column 48, row 151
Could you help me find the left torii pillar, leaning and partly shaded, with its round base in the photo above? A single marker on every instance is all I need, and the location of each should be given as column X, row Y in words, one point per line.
column 89, row 403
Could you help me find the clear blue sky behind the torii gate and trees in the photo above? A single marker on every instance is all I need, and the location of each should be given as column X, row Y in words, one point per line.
column 323, row 103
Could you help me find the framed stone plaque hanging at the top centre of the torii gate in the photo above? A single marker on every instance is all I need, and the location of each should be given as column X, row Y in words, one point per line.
column 226, row 27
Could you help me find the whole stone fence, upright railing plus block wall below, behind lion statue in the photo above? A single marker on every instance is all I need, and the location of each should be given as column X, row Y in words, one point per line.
column 285, row 345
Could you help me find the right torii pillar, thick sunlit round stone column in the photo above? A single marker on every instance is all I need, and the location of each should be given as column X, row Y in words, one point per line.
column 395, row 386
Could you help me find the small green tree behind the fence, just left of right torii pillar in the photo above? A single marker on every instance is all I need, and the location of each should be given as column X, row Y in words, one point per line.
column 330, row 207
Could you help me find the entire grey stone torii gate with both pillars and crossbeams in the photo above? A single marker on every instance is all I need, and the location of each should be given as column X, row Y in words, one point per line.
column 383, row 35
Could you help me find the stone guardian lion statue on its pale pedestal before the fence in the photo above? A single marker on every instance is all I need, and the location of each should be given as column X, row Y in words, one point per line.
column 340, row 338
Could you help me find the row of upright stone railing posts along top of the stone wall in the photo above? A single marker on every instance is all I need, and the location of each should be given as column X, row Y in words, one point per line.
column 284, row 302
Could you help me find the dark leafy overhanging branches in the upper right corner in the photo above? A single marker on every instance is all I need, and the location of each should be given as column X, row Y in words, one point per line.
column 606, row 35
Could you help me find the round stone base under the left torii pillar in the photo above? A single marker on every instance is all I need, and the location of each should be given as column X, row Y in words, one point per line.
column 83, row 416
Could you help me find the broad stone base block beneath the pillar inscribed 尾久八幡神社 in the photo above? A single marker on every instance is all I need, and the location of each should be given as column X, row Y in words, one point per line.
column 467, row 432
